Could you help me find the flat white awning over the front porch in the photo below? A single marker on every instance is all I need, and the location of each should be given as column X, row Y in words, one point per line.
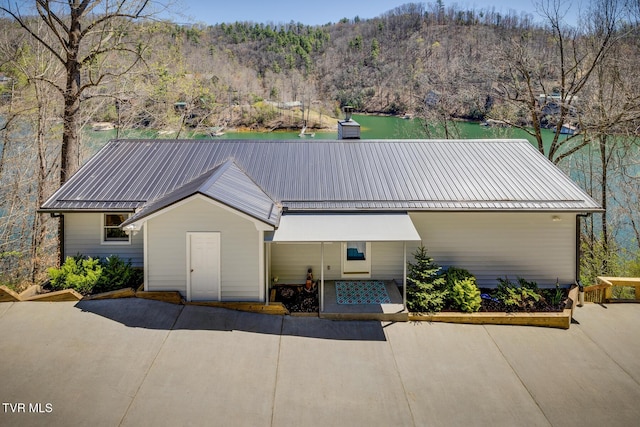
column 346, row 227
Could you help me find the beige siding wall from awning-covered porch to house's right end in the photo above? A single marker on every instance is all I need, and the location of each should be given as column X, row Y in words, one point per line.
column 489, row 245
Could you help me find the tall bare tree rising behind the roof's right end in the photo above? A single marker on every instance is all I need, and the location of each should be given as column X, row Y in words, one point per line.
column 546, row 84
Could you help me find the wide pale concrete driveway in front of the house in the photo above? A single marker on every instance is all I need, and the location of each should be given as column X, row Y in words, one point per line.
column 134, row 362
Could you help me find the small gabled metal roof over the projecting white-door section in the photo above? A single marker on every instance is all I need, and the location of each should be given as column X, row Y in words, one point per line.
column 225, row 183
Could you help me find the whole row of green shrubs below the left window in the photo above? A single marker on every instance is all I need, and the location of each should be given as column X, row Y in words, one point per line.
column 91, row 275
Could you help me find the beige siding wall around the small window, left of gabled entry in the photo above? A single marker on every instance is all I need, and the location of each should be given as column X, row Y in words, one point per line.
column 83, row 234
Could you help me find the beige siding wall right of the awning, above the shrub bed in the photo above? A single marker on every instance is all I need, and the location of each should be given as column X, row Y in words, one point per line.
column 492, row 245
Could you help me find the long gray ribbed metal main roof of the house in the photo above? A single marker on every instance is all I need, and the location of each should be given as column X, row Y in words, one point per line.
column 326, row 175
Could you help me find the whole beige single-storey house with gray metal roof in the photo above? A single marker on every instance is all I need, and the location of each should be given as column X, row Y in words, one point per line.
column 220, row 219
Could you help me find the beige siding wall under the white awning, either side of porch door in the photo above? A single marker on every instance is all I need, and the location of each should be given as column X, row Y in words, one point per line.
column 290, row 261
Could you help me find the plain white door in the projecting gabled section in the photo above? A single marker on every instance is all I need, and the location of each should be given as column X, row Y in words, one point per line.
column 203, row 266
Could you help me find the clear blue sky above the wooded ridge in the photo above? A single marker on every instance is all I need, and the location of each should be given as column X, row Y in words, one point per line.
column 318, row 12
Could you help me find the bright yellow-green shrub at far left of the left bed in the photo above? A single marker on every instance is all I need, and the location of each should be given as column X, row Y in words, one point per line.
column 78, row 273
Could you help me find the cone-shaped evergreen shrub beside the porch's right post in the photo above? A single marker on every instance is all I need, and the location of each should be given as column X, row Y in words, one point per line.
column 426, row 290
